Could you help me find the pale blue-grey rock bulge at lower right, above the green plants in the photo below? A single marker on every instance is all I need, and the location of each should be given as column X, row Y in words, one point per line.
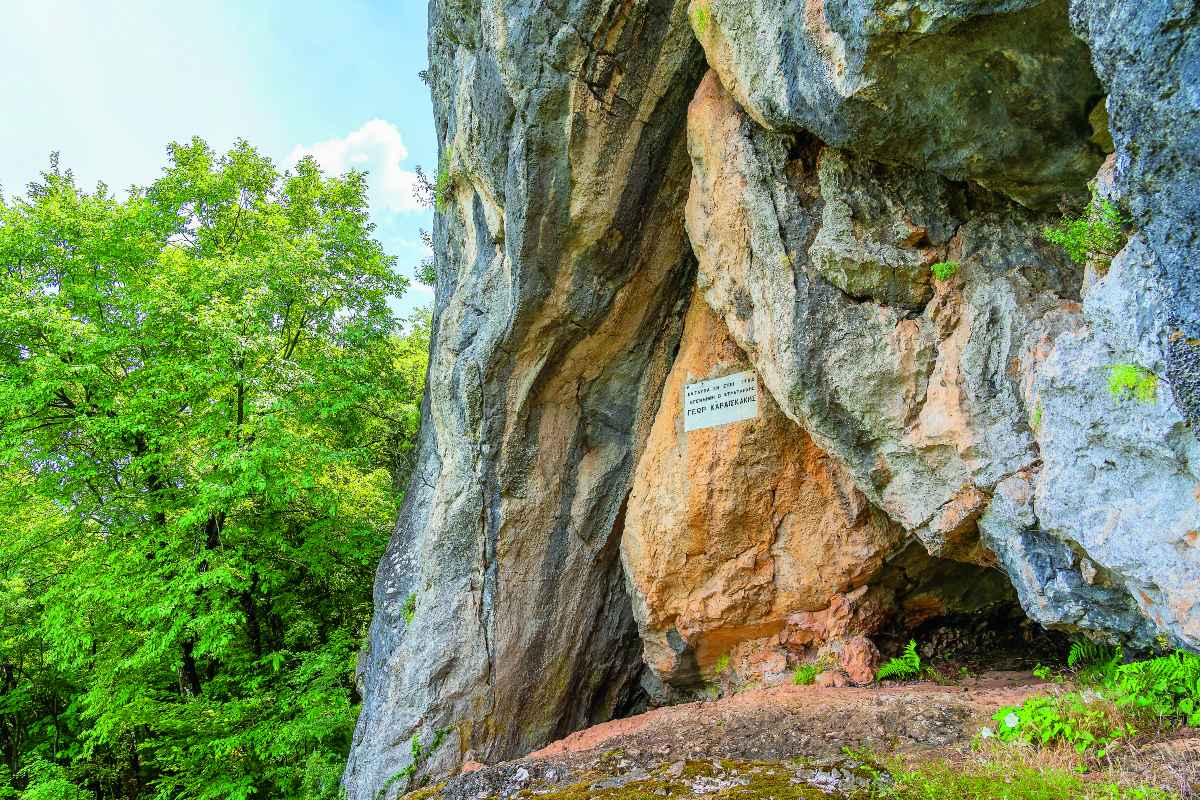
column 1105, row 534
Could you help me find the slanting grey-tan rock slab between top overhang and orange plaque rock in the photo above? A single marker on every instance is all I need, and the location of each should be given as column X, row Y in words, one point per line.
column 926, row 410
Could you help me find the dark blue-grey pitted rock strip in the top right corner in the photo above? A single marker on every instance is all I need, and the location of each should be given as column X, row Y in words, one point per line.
column 1148, row 55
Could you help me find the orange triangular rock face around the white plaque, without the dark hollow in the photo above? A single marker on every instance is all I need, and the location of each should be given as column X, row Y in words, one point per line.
column 734, row 530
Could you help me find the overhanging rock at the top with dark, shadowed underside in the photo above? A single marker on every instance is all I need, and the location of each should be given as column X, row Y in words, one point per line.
column 997, row 92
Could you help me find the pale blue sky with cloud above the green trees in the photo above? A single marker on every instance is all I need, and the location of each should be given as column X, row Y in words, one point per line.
column 109, row 83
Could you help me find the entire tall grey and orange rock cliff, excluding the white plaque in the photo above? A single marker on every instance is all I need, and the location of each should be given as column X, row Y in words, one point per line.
column 639, row 195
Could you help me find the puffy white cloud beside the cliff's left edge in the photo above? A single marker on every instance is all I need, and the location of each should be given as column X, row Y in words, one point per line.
column 376, row 148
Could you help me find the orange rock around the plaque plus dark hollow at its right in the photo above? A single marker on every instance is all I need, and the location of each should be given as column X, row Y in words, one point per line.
column 748, row 548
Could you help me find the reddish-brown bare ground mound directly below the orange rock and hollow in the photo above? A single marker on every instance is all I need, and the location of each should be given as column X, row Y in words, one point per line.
column 777, row 725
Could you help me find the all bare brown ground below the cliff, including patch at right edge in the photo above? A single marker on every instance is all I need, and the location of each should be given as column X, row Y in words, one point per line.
column 800, row 742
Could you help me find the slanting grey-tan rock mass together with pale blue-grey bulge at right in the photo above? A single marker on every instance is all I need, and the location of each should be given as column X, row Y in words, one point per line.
column 987, row 406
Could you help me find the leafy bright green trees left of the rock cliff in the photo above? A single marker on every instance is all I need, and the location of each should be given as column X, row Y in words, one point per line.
column 207, row 410
